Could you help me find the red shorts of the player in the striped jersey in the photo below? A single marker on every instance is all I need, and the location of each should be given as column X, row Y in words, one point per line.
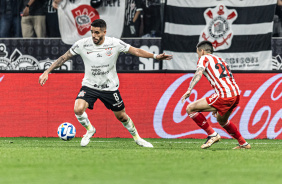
column 223, row 105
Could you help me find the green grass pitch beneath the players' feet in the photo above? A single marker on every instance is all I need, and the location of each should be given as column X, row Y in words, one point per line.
column 116, row 160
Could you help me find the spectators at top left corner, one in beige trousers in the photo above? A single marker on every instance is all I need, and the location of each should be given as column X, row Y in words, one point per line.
column 28, row 18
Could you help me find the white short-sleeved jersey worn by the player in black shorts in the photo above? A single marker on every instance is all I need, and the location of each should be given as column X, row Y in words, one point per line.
column 100, row 62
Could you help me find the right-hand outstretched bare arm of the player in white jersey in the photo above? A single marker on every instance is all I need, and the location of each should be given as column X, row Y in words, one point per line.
column 142, row 53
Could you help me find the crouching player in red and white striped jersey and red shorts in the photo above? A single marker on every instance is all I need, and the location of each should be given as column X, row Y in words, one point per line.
column 221, row 103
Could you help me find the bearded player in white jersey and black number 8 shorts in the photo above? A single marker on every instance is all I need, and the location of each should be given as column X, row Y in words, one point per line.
column 100, row 81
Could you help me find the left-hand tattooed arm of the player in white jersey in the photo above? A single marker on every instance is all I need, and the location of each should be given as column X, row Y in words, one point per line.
column 59, row 62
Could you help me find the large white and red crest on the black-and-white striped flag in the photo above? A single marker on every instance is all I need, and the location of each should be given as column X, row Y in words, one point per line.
column 218, row 26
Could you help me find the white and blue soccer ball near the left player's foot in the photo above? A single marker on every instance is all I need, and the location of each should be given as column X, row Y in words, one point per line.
column 66, row 131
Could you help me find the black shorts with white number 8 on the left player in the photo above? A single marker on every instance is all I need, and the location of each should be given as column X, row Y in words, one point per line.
column 111, row 99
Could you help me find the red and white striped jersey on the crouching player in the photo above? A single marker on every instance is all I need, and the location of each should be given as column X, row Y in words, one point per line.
column 219, row 75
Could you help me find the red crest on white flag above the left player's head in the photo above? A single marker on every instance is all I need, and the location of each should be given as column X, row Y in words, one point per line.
column 84, row 15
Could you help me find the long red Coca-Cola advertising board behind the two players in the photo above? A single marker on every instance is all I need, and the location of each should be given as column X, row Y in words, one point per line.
column 151, row 100
